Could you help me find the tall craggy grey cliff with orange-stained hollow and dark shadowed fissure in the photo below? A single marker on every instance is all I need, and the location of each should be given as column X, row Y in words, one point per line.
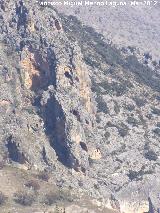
column 55, row 65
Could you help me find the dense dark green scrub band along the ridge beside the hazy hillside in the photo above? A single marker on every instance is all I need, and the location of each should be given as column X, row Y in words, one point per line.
column 93, row 43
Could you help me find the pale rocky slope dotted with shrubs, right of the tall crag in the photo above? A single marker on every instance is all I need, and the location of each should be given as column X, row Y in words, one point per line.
column 126, row 97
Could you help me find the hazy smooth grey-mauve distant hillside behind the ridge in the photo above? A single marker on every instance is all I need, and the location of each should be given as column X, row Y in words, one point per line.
column 132, row 24
